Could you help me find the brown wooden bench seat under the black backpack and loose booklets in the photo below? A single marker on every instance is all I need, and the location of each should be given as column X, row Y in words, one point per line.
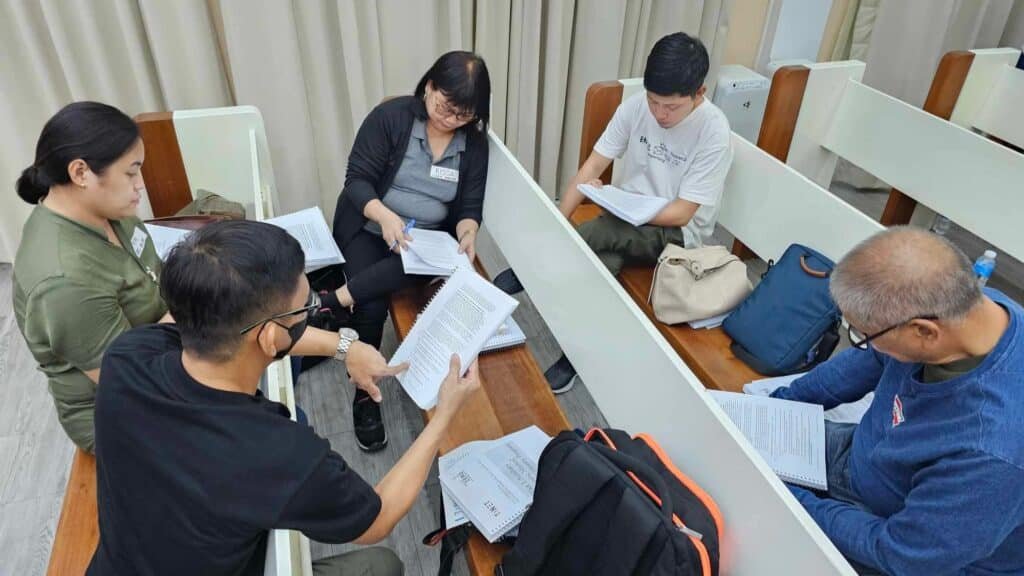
column 514, row 395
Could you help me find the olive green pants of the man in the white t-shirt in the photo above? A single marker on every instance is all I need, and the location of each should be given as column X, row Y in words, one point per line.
column 619, row 243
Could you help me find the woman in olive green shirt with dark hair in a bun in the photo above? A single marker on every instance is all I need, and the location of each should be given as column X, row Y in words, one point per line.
column 87, row 270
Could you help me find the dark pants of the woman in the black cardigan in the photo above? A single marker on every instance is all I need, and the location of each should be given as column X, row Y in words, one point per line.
column 373, row 273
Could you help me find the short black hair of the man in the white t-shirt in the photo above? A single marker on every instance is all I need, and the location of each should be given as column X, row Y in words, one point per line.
column 677, row 65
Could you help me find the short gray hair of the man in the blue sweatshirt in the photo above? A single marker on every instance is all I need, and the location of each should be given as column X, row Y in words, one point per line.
column 902, row 274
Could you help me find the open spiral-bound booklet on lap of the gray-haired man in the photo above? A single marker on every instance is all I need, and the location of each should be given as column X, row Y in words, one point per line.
column 790, row 436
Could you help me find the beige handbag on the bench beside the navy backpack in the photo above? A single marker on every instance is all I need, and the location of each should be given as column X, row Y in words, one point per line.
column 697, row 283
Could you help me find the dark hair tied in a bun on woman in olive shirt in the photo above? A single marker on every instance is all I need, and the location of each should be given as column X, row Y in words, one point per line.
column 96, row 133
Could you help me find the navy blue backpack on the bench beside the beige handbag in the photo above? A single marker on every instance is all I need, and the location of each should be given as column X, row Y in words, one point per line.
column 790, row 323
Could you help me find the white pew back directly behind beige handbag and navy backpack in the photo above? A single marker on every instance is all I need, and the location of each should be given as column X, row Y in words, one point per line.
column 763, row 196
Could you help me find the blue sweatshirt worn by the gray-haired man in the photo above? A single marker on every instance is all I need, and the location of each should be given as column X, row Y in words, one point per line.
column 940, row 467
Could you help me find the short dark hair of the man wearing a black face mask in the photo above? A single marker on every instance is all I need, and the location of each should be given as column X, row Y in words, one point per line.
column 227, row 276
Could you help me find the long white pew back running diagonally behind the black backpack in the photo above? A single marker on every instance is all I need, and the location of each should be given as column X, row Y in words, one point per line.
column 642, row 385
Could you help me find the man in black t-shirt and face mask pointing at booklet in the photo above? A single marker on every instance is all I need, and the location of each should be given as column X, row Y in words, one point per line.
column 195, row 466
